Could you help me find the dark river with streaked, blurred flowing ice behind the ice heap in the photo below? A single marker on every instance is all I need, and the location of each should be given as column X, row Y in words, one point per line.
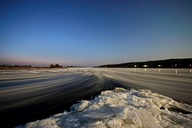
column 40, row 93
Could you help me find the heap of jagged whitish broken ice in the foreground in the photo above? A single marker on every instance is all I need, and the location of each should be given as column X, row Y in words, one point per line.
column 121, row 108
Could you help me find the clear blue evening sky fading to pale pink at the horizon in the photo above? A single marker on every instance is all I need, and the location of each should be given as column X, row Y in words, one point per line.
column 94, row 32
